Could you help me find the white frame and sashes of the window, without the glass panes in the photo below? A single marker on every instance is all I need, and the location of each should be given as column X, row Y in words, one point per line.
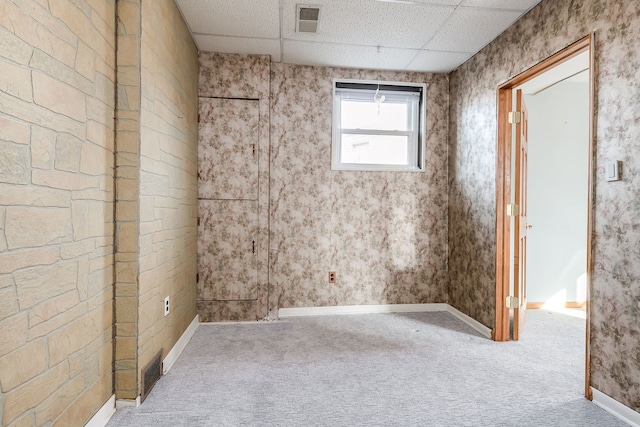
column 366, row 88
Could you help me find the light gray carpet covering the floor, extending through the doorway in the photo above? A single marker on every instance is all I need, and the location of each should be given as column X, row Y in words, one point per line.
column 417, row 369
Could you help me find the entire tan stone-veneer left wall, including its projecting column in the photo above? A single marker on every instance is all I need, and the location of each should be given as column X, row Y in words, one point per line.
column 60, row 148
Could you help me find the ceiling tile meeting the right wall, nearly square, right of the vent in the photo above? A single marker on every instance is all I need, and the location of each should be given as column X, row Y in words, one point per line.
column 469, row 29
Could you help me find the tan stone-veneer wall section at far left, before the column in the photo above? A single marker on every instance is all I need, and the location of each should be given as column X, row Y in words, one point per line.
column 57, row 73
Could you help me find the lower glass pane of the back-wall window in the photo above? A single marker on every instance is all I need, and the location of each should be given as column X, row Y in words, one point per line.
column 375, row 149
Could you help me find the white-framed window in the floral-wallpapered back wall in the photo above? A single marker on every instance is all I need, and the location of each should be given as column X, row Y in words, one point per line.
column 378, row 126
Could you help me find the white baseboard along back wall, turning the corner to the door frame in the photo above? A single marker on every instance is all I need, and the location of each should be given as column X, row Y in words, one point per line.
column 383, row 308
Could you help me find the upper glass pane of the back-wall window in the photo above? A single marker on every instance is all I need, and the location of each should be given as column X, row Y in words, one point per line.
column 358, row 114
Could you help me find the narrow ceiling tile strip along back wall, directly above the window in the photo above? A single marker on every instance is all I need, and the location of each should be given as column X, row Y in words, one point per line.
column 350, row 56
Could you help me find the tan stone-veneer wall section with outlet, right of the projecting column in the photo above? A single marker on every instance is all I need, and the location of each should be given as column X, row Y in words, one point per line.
column 168, row 178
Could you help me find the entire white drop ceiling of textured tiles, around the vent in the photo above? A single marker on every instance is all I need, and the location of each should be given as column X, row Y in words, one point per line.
column 417, row 35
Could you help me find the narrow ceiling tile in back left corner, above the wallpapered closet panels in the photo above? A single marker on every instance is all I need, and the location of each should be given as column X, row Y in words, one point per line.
column 209, row 43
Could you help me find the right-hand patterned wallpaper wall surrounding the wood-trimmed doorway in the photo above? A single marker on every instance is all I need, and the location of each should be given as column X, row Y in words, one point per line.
column 552, row 25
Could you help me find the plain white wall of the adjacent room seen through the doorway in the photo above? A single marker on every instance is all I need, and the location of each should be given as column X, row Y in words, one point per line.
column 557, row 194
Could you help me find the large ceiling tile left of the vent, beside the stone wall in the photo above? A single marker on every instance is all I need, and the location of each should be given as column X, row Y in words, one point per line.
column 247, row 18
